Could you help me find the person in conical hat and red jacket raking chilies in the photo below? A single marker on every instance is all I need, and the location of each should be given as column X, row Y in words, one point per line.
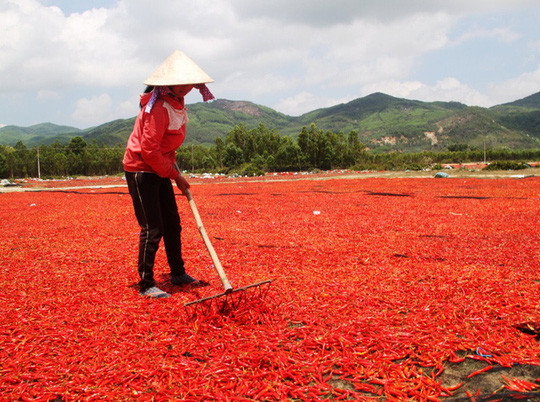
column 149, row 165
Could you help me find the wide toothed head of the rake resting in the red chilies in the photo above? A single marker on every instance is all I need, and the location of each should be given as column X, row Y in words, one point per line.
column 228, row 301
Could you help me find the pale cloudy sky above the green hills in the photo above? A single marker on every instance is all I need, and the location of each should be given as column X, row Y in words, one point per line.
column 82, row 63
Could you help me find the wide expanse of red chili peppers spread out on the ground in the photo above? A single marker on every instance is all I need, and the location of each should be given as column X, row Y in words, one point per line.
column 384, row 288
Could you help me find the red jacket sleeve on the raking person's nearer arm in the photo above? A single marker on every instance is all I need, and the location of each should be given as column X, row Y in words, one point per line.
column 155, row 124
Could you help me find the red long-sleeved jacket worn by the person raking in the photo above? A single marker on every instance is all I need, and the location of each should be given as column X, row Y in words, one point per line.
column 156, row 136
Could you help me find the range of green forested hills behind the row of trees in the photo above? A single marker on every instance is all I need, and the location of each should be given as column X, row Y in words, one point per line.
column 383, row 123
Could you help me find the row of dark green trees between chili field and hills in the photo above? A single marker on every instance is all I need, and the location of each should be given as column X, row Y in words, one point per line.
column 245, row 151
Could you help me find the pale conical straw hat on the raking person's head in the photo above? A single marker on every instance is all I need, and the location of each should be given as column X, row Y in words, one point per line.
column 178, row 69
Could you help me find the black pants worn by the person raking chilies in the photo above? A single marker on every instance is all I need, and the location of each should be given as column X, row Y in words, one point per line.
column 157, row 215
